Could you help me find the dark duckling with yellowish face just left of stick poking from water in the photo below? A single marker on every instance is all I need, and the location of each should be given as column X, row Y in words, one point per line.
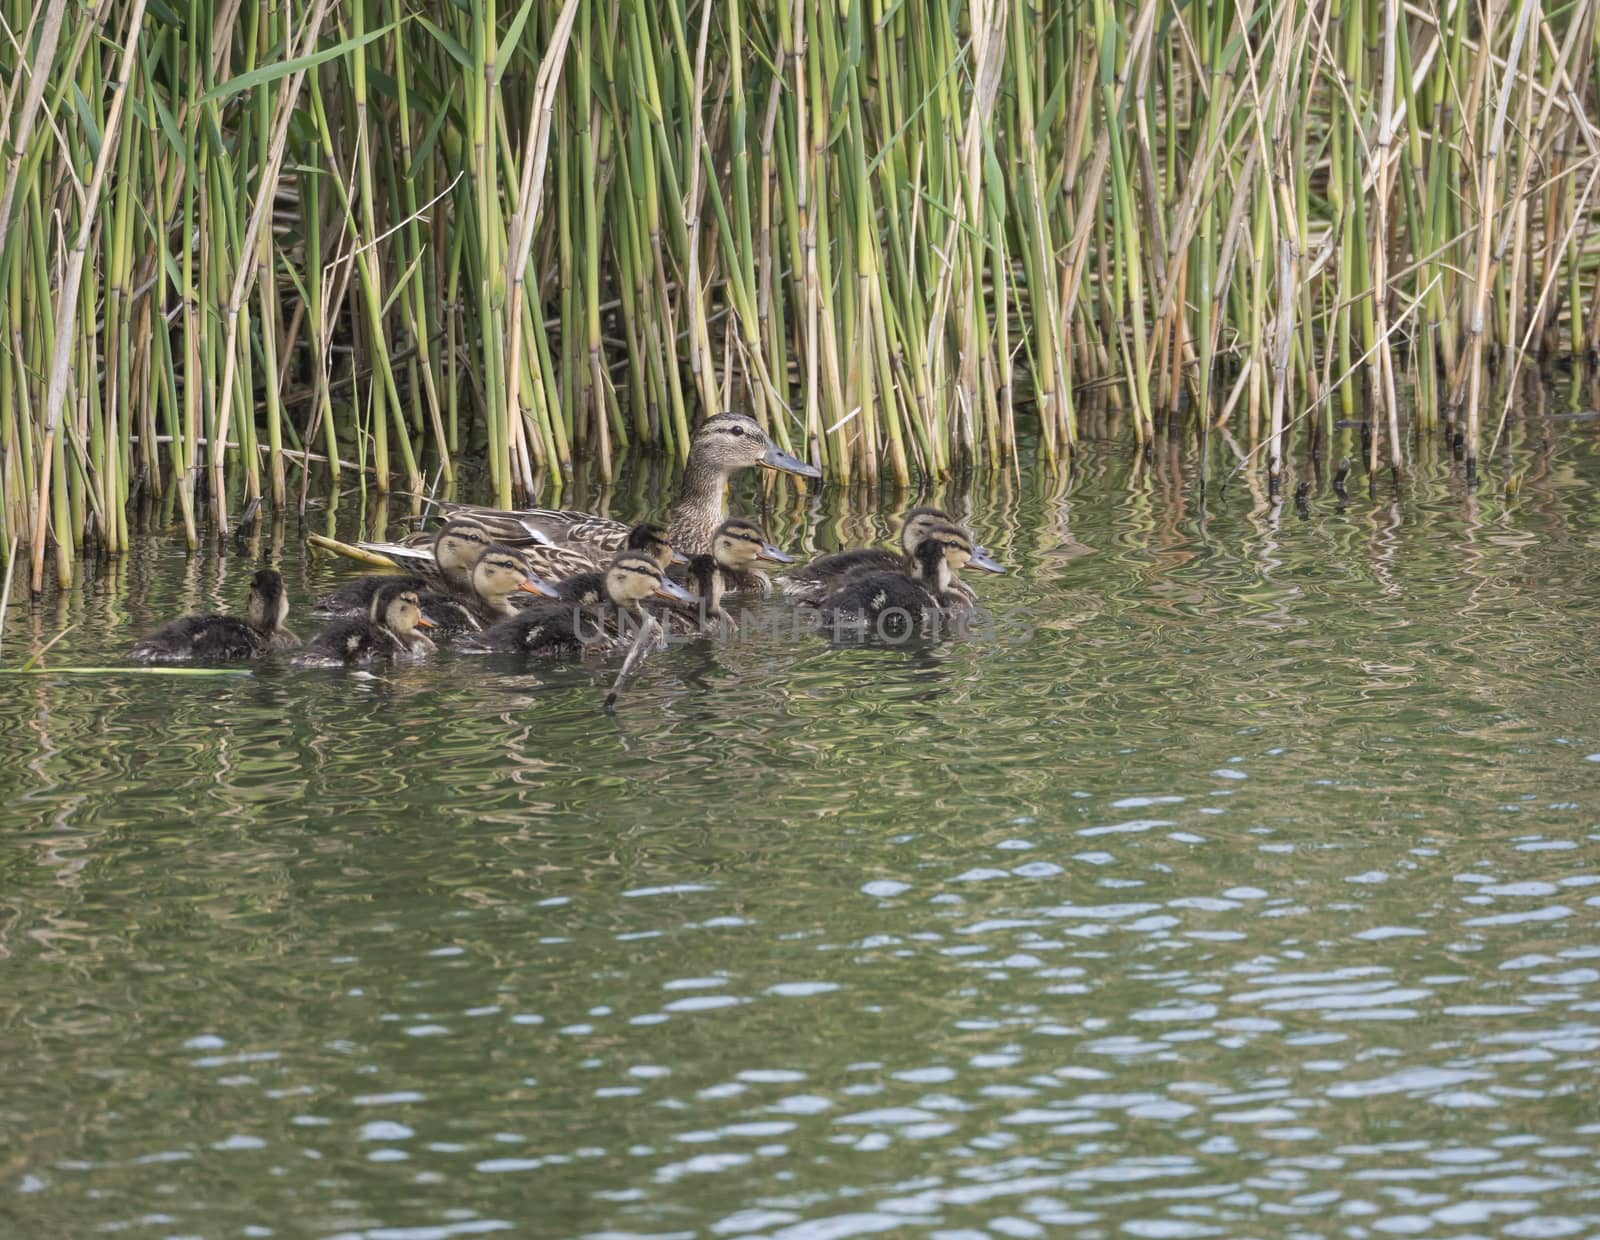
column 591, row 614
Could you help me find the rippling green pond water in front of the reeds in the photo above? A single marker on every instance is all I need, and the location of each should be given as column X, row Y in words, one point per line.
column 1242, row 879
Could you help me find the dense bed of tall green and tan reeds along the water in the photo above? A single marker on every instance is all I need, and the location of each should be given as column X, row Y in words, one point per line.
column 378, row 242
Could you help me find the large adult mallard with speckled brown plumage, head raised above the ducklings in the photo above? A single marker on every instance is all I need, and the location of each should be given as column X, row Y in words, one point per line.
column 721, row 447
